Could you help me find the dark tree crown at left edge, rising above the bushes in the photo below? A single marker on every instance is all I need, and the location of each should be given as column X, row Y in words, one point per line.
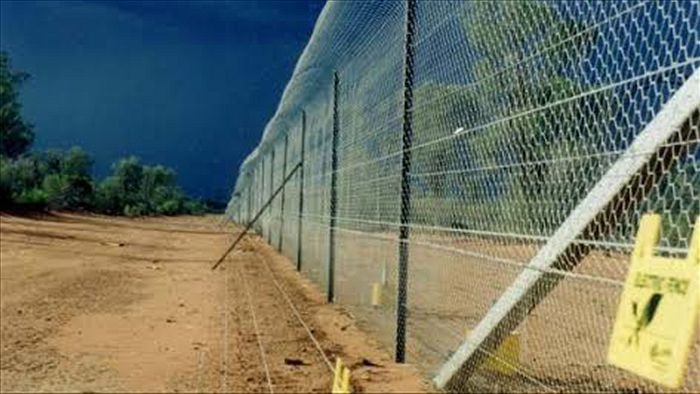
column 16, row 135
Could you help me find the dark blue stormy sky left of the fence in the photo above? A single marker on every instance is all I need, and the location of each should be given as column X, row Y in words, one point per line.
column 187, row 84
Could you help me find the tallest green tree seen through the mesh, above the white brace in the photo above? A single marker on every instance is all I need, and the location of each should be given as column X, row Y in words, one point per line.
column 522, row 67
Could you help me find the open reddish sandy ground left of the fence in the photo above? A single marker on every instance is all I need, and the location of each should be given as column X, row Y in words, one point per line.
column 91, row 303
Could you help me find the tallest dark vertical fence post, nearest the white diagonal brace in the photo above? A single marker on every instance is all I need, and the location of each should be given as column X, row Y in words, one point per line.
column 402, row 290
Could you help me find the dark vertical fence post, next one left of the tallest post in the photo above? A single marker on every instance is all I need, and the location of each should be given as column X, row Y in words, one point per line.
column 334, row 193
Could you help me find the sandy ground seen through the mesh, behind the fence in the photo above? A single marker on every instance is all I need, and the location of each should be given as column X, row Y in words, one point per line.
column 562, row 343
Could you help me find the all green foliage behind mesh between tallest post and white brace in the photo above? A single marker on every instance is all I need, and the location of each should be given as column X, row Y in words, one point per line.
column 510, row 165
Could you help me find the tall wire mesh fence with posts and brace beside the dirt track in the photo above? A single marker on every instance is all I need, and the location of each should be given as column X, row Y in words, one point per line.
column 484, row 166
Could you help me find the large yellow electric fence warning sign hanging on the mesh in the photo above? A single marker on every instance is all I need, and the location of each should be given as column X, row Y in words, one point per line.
column 658, row 310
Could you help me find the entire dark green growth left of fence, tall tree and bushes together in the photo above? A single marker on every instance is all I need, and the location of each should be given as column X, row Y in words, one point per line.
column 62, row 180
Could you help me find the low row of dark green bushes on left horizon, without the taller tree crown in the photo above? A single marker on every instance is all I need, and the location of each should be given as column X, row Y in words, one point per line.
column 61, row 180
